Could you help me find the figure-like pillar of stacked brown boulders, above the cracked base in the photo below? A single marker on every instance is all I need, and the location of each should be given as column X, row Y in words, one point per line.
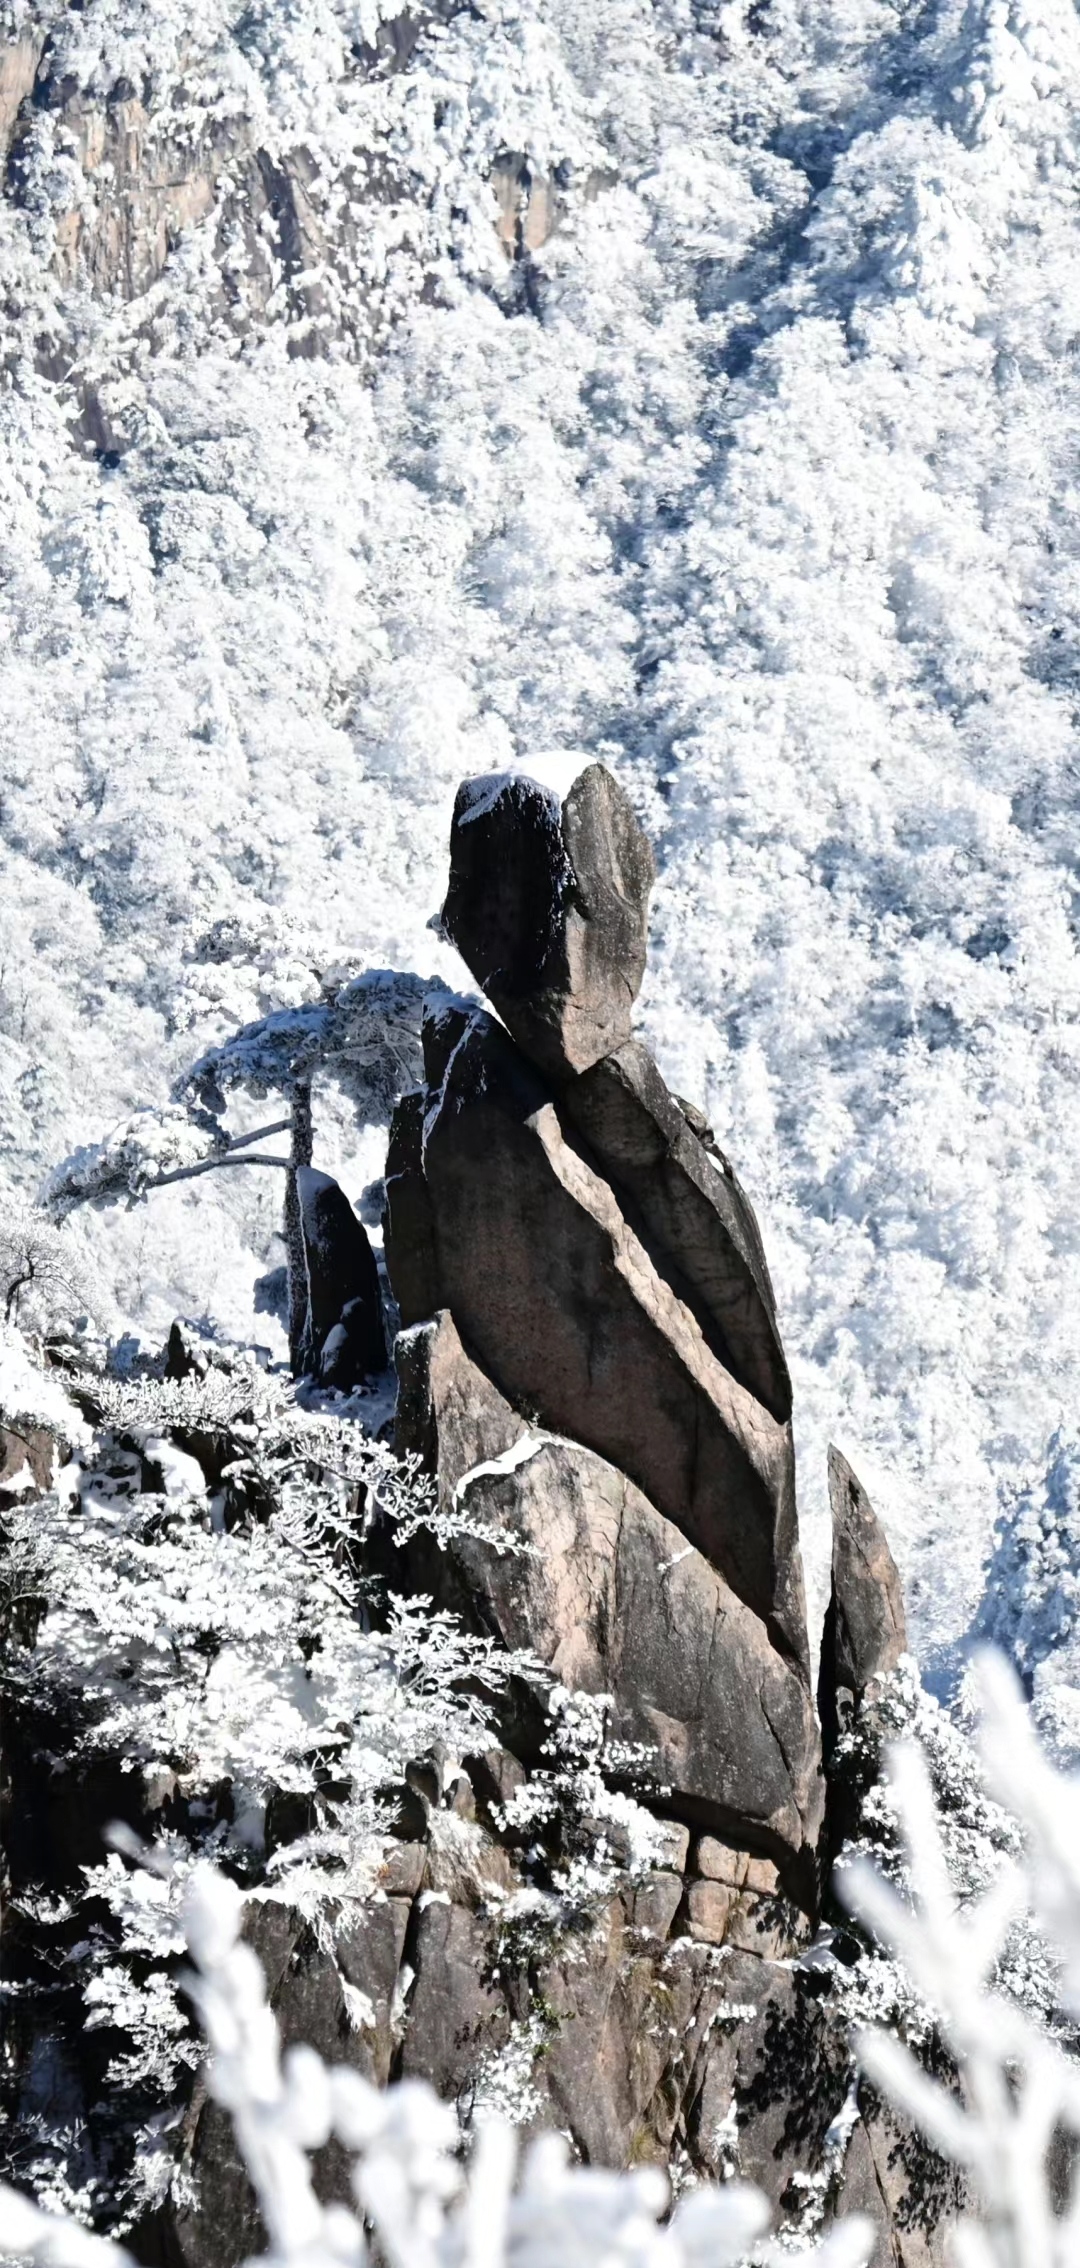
column 593, row 1348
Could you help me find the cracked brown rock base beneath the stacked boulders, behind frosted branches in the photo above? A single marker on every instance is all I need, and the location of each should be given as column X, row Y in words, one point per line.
column 650, row 2049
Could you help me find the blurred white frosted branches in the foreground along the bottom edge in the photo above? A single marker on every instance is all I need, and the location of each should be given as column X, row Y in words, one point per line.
column 423, row 2201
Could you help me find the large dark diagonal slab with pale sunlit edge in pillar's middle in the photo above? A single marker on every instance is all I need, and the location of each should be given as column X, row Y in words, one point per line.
column 571, row 1317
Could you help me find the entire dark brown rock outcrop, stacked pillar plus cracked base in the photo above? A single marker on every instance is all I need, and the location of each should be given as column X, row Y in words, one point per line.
column 591, row 1369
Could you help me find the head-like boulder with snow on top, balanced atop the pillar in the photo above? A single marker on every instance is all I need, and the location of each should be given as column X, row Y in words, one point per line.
column 548, row 906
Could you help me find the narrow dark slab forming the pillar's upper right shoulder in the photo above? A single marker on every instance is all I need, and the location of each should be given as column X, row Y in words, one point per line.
column 695, row 1217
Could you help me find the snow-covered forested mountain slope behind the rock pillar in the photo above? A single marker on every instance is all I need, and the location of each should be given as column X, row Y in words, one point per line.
column 757, row 477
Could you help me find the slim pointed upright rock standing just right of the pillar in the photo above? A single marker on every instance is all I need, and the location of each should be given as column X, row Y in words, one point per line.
column 866, row 1625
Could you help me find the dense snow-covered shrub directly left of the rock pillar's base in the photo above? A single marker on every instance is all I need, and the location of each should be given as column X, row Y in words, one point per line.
column 212, row 1620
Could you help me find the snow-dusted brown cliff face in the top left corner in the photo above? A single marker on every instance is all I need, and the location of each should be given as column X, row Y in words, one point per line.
column 119, row 142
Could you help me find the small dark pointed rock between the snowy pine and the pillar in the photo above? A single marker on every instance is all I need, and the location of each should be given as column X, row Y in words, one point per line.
column 346, row 1337
